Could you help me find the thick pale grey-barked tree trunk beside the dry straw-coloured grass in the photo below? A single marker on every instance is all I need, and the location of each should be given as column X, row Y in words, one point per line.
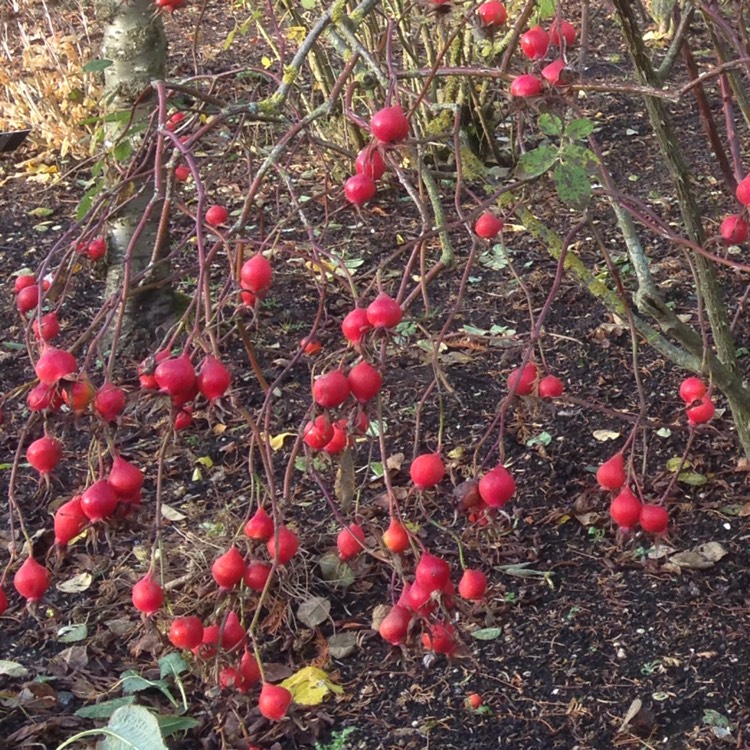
column 135, row 42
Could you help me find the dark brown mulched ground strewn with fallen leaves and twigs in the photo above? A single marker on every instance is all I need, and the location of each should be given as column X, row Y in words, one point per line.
column 580, row 622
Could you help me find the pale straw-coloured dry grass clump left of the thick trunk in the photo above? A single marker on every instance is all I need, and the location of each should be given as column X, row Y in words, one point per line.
column 42, row 85
